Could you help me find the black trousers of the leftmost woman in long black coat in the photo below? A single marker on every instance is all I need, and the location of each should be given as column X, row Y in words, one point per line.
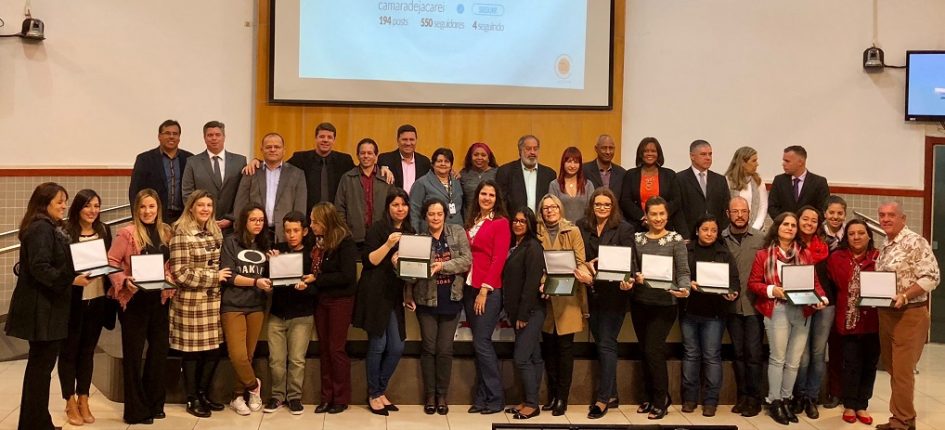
column 34, row 402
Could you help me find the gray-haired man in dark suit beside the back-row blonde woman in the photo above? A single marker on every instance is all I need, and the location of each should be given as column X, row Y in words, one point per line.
column 702, row 191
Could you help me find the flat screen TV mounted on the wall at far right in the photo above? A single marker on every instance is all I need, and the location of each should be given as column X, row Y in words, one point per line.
column 925, row 86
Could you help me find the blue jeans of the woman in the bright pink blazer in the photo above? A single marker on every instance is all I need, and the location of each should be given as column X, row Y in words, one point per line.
column 488, row 394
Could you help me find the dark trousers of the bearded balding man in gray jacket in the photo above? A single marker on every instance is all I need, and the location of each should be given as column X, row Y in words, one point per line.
column 747, row 332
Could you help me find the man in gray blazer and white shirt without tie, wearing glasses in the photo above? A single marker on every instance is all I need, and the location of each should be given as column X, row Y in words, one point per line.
column 279, row 188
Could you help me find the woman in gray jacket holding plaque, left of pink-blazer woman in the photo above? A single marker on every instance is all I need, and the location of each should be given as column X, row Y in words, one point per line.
column 438, row 301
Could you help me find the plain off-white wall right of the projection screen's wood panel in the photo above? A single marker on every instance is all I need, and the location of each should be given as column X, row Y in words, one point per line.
column 769, row 74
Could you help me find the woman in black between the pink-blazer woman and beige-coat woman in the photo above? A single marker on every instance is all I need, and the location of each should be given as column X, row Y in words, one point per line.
column 521, row 281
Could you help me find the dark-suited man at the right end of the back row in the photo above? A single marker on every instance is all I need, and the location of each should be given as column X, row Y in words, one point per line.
column 797, row 186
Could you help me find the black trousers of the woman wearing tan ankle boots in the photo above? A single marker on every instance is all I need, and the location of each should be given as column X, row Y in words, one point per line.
column 86, row 318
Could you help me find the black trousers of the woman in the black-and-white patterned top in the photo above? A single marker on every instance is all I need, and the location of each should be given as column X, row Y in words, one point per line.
column 652, row 324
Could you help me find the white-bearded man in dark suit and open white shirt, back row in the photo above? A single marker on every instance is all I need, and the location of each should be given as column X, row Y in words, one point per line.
column 525, row 181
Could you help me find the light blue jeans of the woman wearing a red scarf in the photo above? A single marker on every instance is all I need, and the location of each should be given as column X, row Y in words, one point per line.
column 787, row 331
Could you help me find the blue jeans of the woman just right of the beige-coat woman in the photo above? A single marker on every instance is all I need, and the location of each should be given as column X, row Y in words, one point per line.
column 605, row 326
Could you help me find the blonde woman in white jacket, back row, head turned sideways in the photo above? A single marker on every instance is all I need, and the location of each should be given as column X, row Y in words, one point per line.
column 743, row 180
